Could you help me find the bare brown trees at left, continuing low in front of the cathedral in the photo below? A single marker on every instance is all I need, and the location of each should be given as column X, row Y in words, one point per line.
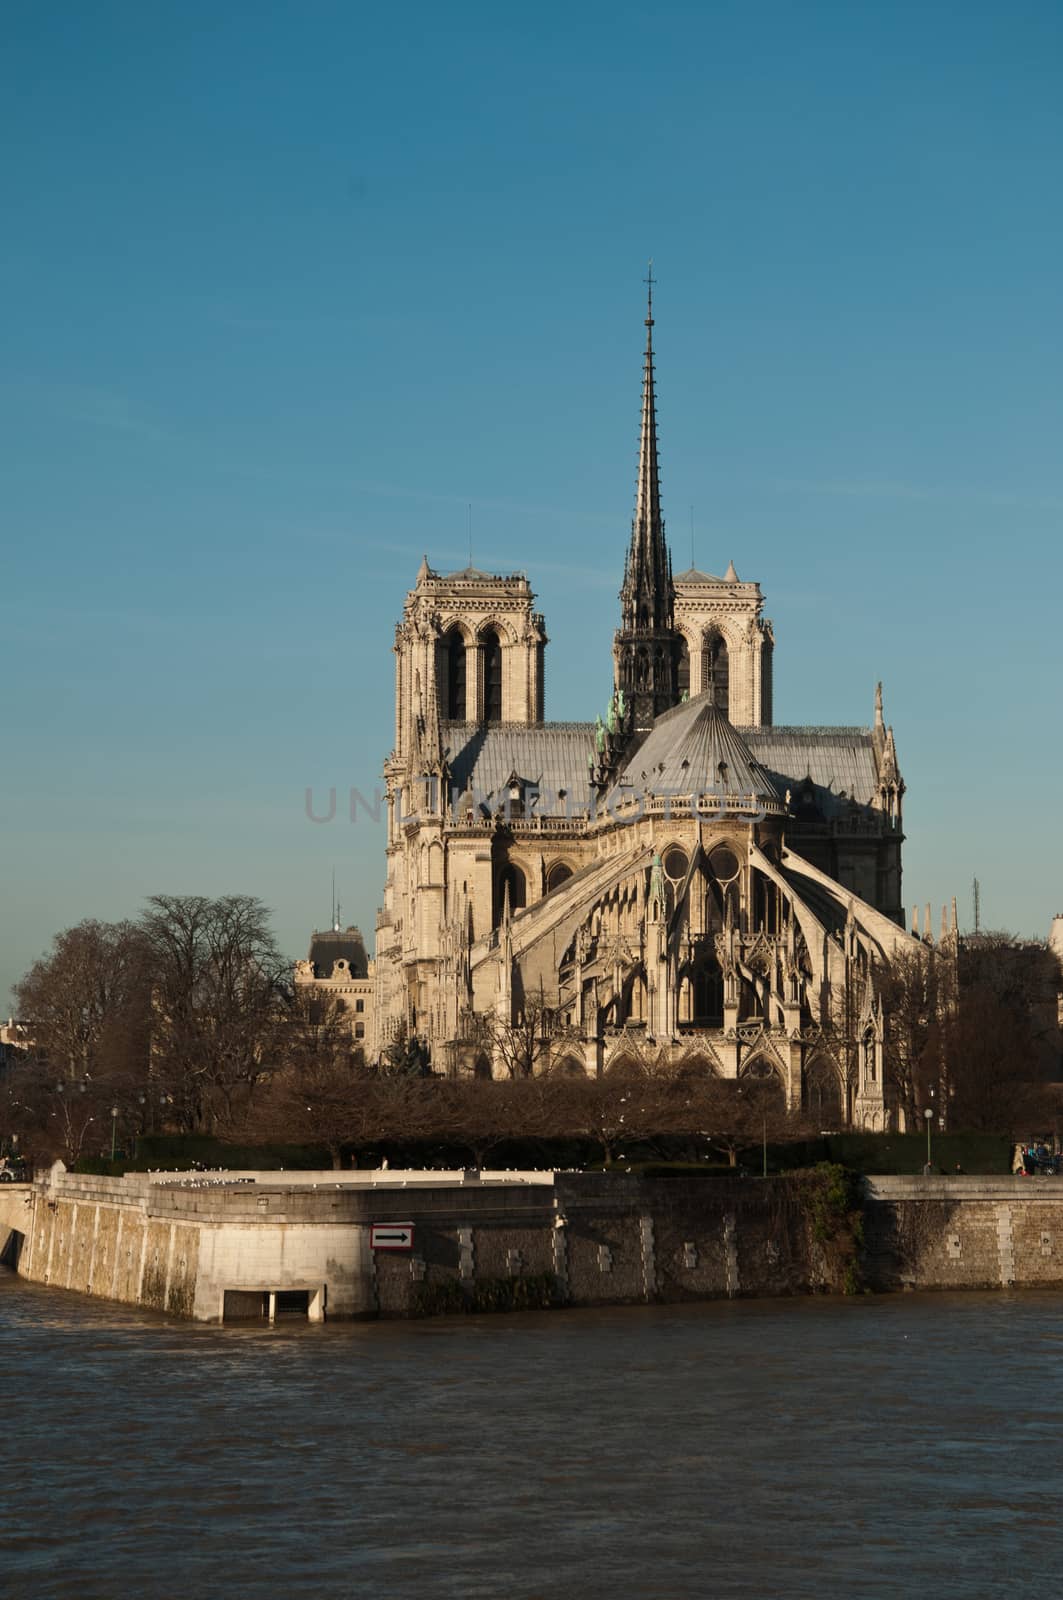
column 185, row 1022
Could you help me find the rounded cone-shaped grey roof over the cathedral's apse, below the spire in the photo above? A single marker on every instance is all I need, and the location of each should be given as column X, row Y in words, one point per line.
column 694, row 748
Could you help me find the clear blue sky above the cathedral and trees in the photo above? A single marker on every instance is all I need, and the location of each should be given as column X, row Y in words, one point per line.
column 287, row 287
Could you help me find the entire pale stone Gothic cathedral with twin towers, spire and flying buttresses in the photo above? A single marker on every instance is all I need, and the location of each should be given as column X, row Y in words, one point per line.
column 676, row 882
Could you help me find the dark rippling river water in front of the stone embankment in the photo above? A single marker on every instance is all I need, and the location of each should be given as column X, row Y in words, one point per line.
column 875, row 1447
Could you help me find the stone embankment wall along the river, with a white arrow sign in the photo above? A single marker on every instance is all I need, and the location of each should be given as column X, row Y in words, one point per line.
column 238, row 1246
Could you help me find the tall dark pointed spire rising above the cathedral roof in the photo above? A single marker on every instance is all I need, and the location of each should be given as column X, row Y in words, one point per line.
column 646, row 647
